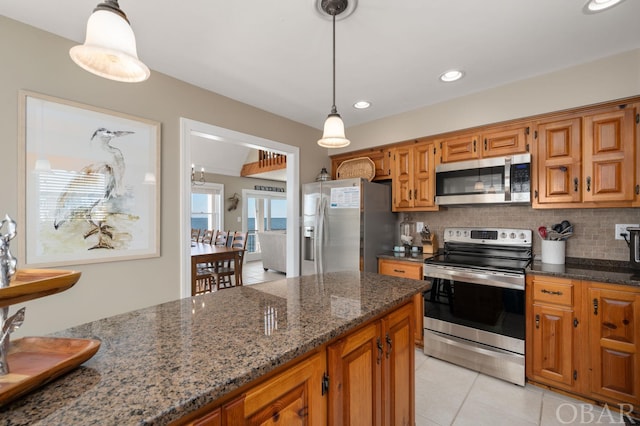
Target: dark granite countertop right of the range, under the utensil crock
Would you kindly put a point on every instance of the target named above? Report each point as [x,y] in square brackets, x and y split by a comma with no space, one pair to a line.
[606,271]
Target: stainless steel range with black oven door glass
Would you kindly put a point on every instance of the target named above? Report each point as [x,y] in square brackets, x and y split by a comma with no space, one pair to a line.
[474,312]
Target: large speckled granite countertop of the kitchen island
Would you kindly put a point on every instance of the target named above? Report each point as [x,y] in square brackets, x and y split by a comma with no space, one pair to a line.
[157,364]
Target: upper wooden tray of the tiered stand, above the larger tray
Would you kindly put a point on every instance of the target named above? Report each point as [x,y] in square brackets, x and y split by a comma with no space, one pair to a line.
[29,284]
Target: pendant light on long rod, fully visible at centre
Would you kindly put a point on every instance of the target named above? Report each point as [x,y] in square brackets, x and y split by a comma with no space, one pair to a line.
[333,135]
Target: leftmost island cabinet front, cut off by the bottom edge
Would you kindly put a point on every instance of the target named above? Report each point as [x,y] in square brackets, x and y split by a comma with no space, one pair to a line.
[291,398]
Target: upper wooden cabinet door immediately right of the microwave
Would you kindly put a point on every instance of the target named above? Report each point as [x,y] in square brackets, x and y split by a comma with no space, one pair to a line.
[558,161]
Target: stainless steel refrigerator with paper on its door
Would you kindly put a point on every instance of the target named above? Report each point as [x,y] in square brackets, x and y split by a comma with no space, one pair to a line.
[346,224]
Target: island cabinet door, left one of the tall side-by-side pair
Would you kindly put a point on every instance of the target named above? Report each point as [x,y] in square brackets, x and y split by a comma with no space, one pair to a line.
[355,382]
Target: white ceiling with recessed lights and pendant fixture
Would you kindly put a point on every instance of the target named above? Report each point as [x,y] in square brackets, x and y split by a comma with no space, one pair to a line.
[276,55]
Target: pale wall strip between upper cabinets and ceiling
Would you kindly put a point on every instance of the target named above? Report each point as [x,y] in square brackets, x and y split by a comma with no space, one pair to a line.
[603,80]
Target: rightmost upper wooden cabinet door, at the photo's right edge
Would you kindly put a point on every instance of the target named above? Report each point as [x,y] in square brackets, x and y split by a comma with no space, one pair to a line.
[608,155]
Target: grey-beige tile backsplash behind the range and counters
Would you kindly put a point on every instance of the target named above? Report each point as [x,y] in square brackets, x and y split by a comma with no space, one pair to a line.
[593,235]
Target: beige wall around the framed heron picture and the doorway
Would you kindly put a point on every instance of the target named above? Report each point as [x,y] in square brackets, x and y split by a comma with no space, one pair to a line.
[38,61]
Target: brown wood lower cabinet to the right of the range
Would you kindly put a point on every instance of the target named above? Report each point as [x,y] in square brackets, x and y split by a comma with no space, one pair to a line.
[583,337]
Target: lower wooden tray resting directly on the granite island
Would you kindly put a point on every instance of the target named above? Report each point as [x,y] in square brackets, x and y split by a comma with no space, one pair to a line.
[34,361]
